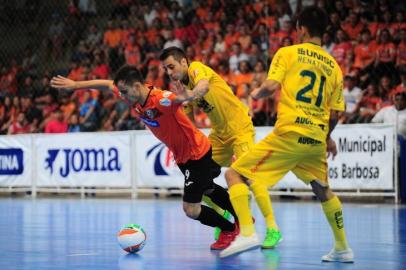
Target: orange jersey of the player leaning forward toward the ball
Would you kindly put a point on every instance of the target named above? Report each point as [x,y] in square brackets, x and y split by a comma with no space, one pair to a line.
[170,125]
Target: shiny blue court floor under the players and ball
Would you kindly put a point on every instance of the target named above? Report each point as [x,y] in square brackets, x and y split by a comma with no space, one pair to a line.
[81,234]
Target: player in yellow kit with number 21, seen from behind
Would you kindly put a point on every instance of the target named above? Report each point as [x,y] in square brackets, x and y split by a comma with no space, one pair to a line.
[311,97]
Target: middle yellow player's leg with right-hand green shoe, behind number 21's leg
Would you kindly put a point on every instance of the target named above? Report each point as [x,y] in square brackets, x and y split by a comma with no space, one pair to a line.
[242,144]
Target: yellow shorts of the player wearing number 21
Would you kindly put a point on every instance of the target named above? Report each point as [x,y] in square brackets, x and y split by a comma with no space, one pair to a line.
[276,155]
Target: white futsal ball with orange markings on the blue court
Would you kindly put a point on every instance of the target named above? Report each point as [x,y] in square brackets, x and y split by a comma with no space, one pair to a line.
[132,238]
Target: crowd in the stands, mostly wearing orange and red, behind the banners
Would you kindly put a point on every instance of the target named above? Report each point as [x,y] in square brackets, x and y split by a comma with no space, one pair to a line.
[237,38]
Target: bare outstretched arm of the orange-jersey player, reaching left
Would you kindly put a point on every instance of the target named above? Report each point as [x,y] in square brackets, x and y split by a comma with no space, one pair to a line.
[60,82]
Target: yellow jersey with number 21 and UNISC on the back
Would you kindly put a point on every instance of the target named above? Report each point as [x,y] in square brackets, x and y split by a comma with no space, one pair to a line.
[312,85]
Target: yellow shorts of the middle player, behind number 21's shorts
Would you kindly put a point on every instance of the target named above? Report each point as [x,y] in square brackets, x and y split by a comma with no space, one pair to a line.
[224,148]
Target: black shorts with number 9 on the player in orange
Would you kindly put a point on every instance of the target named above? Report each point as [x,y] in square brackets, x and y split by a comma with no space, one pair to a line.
[199,175]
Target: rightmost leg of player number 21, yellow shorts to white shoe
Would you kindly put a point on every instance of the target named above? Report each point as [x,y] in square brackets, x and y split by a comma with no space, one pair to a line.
[314,166]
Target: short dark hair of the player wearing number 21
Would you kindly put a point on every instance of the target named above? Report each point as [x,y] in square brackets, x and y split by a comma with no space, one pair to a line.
[314,19]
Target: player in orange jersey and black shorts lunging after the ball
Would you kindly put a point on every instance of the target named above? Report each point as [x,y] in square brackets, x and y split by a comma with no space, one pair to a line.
[168,122]
